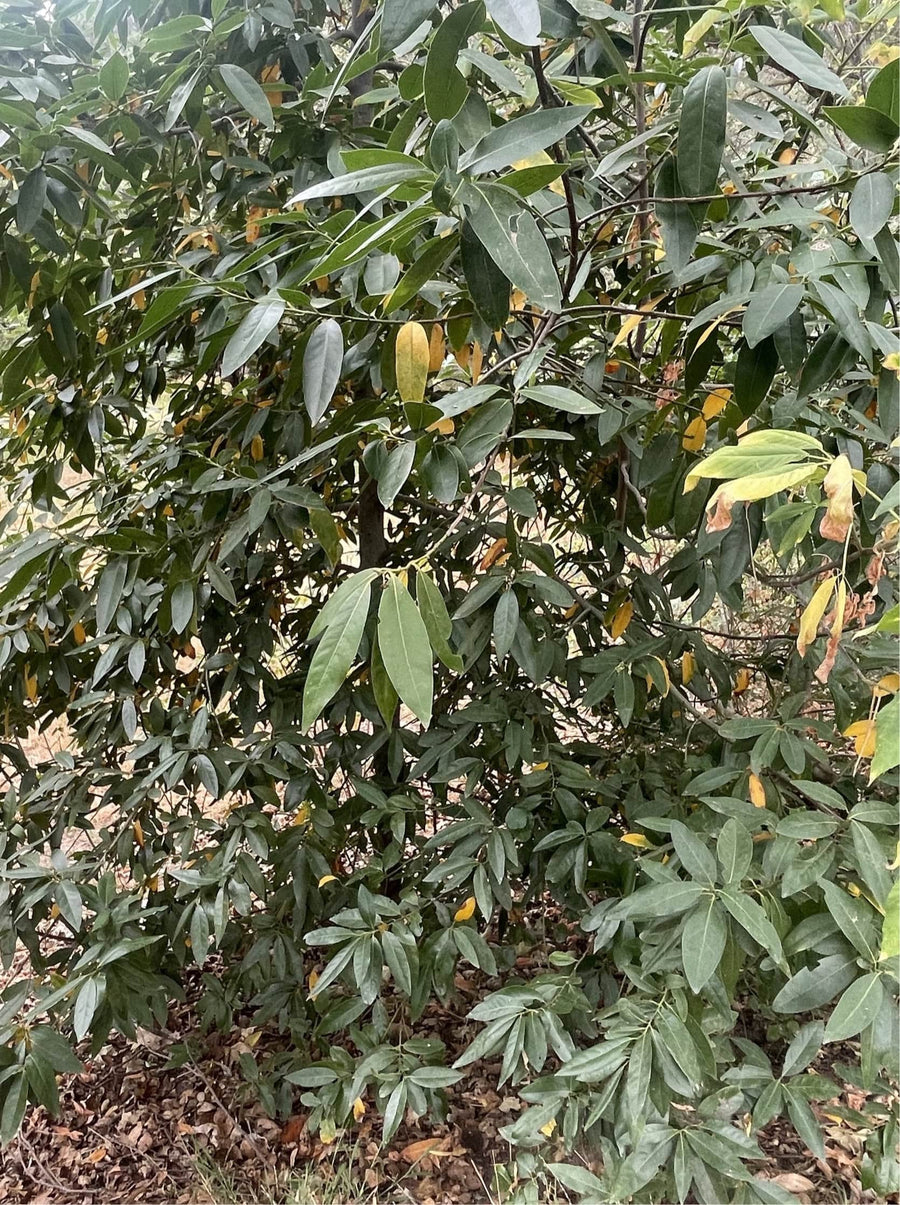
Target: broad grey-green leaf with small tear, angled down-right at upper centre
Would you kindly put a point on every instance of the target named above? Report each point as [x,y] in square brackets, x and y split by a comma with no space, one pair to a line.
[511,238]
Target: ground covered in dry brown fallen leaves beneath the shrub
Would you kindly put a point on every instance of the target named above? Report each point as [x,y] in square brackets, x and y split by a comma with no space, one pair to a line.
[139,1125]
